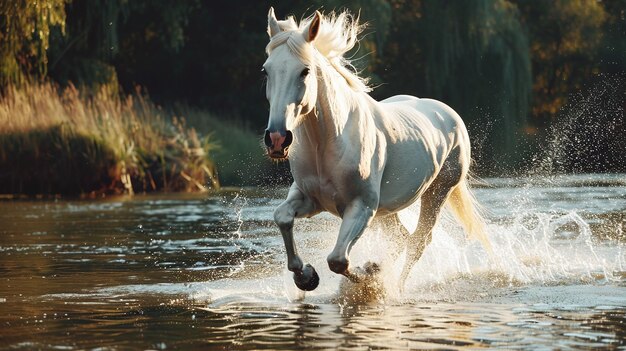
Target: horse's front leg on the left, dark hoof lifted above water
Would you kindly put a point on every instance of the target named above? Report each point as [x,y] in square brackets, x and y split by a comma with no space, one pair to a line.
[296,205]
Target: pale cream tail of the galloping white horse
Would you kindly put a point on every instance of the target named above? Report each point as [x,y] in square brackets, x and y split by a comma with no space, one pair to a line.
[468,211]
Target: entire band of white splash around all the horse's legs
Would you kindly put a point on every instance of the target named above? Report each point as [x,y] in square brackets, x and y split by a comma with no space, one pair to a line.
[533,247]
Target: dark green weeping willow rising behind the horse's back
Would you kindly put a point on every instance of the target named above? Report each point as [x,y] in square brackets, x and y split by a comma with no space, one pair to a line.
[473,55]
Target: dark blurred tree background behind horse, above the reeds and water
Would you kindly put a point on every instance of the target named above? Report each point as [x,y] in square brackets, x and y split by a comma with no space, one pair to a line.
[524,74]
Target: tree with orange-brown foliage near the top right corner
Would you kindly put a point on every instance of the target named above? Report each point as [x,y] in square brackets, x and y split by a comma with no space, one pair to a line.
[565,37]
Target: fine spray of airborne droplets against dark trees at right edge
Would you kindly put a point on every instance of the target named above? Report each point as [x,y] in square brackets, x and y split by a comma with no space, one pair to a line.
[588,134]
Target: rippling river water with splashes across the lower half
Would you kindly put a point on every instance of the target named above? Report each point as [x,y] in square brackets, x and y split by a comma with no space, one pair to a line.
[208,272]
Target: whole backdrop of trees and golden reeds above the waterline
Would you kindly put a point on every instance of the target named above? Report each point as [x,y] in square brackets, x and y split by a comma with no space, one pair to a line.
[540,85]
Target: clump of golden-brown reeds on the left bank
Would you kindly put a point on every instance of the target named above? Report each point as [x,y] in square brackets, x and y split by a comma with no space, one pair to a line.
[68,141]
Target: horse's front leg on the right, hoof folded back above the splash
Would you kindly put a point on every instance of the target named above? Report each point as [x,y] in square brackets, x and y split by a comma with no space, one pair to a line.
[355,219]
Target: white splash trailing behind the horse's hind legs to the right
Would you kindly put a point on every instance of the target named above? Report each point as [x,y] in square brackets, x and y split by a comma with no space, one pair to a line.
[533,249]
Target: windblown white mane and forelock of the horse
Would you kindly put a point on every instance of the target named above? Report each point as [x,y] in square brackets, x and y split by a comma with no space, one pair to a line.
[338,34]
